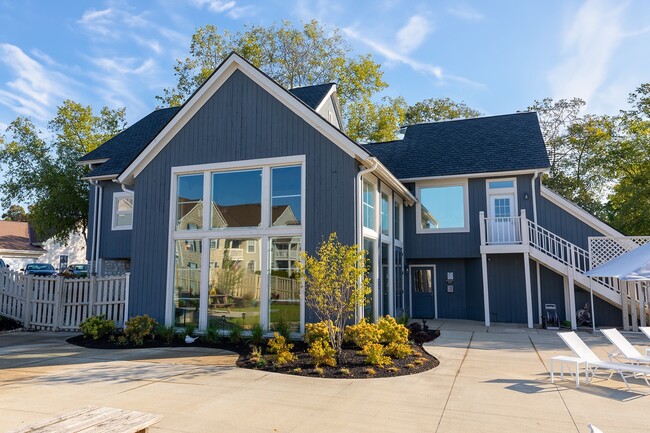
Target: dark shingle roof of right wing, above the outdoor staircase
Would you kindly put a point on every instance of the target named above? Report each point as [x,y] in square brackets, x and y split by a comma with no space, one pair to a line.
[478,145]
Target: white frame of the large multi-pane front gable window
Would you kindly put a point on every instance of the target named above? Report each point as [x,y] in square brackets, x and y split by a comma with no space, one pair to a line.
[264,232]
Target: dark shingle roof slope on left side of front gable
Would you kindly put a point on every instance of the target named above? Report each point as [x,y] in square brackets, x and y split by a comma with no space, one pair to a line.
[122,149]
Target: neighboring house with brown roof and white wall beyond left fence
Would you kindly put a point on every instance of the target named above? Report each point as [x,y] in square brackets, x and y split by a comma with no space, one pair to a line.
[20,246]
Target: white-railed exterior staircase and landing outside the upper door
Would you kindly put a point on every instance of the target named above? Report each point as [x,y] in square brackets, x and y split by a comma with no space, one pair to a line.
[521,235]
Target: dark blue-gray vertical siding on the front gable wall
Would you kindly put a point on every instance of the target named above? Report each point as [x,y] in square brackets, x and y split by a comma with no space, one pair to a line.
[241,121]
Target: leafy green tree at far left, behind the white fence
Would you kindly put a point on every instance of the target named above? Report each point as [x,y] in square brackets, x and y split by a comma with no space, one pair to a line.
[45,173]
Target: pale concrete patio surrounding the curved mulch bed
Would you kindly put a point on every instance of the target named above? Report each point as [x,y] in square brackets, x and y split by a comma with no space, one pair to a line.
[492,380]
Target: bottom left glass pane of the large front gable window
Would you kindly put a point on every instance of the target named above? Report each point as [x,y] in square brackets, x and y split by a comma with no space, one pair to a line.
[187,281]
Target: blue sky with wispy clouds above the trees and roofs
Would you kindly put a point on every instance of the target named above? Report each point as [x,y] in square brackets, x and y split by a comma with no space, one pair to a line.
[497,56]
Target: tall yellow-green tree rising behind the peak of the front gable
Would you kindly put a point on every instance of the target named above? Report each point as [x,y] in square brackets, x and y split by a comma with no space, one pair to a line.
[292,56]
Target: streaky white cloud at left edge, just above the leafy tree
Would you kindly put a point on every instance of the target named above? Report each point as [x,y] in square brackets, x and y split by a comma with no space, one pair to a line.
[34,91]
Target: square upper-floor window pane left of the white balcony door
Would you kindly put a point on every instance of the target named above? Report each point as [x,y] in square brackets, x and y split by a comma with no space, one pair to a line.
[442,208]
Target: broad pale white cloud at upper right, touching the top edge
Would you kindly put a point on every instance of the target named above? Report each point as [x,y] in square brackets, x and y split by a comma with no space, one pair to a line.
[588,47]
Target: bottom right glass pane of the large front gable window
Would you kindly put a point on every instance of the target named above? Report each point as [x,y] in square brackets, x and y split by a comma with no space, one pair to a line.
[284,283]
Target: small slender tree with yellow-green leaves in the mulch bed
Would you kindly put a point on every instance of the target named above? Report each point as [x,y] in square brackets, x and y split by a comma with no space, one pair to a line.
[336,285]
